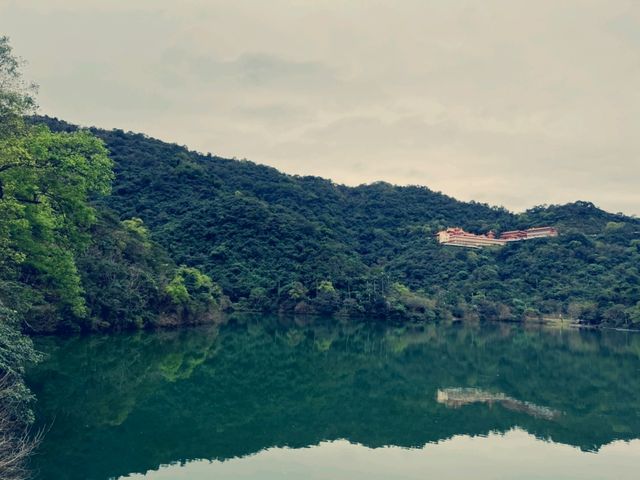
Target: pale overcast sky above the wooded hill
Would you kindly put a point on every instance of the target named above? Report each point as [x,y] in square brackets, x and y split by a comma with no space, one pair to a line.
[513,103]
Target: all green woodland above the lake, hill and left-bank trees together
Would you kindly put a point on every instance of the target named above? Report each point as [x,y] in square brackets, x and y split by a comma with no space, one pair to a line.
[106,229]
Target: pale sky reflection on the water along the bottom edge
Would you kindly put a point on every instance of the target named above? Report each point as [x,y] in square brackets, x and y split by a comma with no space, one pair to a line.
[513,455]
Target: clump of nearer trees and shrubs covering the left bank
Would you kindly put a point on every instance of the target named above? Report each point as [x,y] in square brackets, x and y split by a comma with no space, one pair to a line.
[66,264]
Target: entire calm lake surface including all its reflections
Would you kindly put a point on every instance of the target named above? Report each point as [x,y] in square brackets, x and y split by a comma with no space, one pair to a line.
[265,398]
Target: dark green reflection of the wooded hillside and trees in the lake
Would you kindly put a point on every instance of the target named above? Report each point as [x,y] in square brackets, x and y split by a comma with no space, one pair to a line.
[128,403]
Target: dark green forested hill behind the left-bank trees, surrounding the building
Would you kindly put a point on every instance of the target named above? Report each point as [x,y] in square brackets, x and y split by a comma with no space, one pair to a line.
[279,242]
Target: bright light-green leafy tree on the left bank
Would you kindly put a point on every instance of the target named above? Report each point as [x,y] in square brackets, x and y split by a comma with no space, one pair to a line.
[45,192]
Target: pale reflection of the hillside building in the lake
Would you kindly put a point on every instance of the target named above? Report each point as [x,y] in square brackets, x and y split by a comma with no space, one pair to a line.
[457,397]
